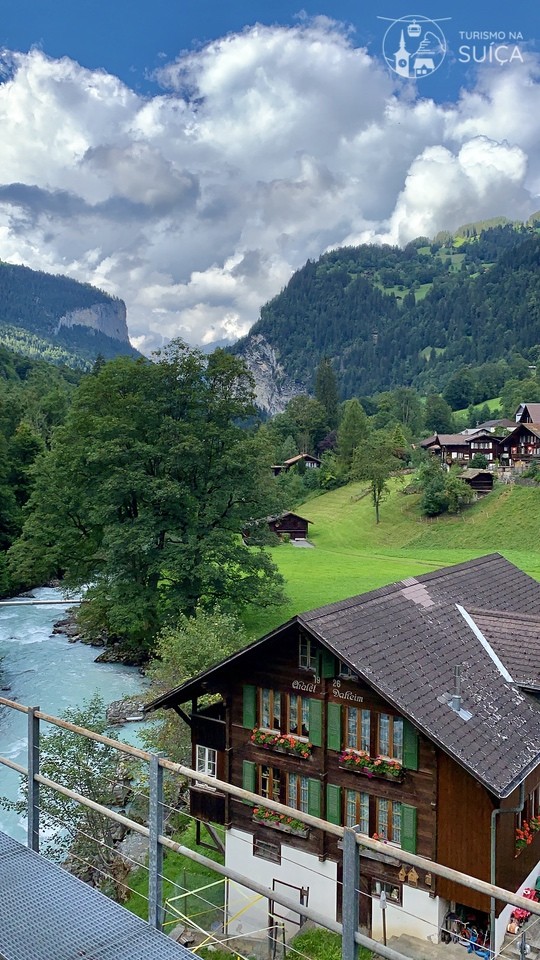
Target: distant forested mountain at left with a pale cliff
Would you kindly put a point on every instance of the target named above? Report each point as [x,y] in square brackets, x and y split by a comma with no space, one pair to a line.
[58,319]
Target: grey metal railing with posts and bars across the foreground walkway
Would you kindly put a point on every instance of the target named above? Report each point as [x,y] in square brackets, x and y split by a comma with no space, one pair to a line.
[351,841]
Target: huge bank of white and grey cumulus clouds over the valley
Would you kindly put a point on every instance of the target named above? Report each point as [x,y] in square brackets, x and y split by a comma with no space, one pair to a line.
[264,148]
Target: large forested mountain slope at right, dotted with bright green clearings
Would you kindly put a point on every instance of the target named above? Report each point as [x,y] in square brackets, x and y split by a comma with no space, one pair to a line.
[389,317]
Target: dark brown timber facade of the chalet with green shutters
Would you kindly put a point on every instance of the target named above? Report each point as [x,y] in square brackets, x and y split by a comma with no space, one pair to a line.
[445,813]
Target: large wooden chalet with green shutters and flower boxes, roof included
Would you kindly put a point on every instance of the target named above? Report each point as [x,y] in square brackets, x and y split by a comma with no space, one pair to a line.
[351,712]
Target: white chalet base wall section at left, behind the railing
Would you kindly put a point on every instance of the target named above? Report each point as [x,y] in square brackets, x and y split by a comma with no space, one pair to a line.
[248,913]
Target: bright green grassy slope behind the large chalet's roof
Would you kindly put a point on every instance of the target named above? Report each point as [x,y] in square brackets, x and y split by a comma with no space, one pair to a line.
[352,554]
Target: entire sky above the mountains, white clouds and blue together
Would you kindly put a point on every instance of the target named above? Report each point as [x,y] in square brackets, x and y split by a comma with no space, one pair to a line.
[189,157]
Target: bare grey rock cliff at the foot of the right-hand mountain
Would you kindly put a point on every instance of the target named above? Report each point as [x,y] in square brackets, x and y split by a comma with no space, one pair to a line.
[274,388]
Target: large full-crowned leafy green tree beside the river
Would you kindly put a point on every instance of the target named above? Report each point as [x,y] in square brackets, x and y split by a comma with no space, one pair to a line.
[145,492]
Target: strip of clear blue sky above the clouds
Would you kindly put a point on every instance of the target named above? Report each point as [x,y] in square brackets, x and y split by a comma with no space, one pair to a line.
[132,38]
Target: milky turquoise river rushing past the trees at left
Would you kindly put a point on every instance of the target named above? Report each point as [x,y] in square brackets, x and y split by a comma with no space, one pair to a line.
[42,669]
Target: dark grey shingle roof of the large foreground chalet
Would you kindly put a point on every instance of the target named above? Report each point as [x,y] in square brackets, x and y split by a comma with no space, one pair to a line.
[406,639]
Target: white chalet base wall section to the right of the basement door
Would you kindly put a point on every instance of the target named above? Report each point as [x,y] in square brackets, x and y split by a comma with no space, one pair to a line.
[420,916]
